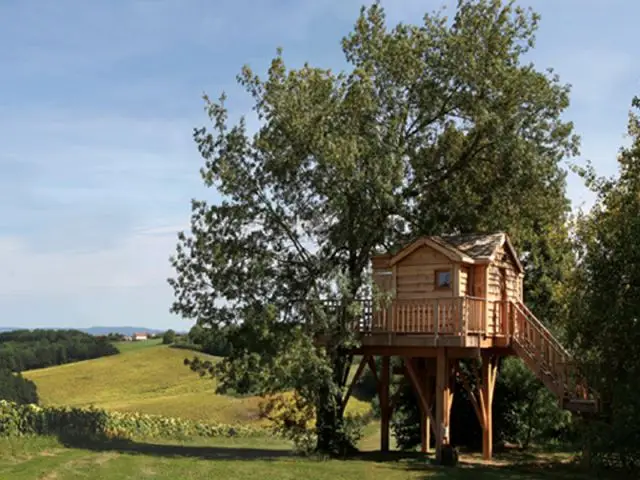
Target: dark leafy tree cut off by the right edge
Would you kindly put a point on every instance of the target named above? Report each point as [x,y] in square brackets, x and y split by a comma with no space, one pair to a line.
[605,311]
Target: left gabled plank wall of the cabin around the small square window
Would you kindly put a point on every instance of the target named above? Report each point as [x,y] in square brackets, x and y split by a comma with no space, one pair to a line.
[415,275]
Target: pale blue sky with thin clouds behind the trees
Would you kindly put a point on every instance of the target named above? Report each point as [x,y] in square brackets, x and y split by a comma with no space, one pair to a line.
[97,105]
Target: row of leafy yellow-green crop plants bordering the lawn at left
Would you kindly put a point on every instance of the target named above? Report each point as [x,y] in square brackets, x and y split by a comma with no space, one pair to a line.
[91,423]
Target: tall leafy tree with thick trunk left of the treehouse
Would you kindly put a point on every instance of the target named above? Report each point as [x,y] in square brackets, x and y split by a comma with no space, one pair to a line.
[434,128]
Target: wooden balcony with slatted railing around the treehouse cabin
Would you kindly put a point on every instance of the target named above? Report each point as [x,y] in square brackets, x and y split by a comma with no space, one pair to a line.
[456,321]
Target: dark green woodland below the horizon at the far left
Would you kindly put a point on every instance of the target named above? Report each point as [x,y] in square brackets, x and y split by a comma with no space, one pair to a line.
[29,349]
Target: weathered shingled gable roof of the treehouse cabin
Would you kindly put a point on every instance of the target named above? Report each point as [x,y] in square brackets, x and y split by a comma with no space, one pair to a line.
[469,248]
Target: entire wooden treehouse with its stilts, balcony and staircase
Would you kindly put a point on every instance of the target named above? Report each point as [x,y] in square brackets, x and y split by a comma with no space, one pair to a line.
[447,298]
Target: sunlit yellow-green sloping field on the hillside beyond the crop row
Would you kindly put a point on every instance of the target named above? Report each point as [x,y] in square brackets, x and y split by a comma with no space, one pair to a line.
[146,377]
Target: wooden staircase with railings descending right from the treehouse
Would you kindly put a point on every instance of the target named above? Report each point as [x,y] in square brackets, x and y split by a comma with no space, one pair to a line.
[549,360]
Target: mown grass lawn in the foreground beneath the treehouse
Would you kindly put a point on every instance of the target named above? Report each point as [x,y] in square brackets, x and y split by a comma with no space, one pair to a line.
[48,459]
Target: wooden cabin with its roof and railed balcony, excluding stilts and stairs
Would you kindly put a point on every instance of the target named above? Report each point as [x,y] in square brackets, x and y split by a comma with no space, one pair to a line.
[450,288]
